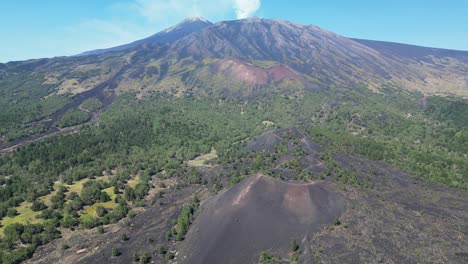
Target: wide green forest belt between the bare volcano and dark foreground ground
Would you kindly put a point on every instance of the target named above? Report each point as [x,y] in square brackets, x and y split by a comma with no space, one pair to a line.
[156,136]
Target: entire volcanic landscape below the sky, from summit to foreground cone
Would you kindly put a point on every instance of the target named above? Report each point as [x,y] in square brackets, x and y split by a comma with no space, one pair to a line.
[245,141]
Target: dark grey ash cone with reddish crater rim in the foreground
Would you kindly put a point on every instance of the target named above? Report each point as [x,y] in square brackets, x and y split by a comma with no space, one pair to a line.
[260,213]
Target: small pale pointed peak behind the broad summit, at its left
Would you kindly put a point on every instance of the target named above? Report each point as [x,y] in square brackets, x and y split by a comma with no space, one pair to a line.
[186,27]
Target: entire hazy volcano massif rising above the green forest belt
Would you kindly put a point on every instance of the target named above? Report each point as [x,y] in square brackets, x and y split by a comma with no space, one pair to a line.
[250,57]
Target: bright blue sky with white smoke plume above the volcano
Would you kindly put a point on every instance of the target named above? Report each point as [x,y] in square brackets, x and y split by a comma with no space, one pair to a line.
[48,28]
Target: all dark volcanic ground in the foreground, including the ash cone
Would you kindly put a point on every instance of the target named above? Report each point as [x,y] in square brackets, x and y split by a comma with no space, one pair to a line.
[399,219]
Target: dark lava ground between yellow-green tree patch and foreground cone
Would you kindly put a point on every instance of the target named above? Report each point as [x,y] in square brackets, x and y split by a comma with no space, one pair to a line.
[146,232]
